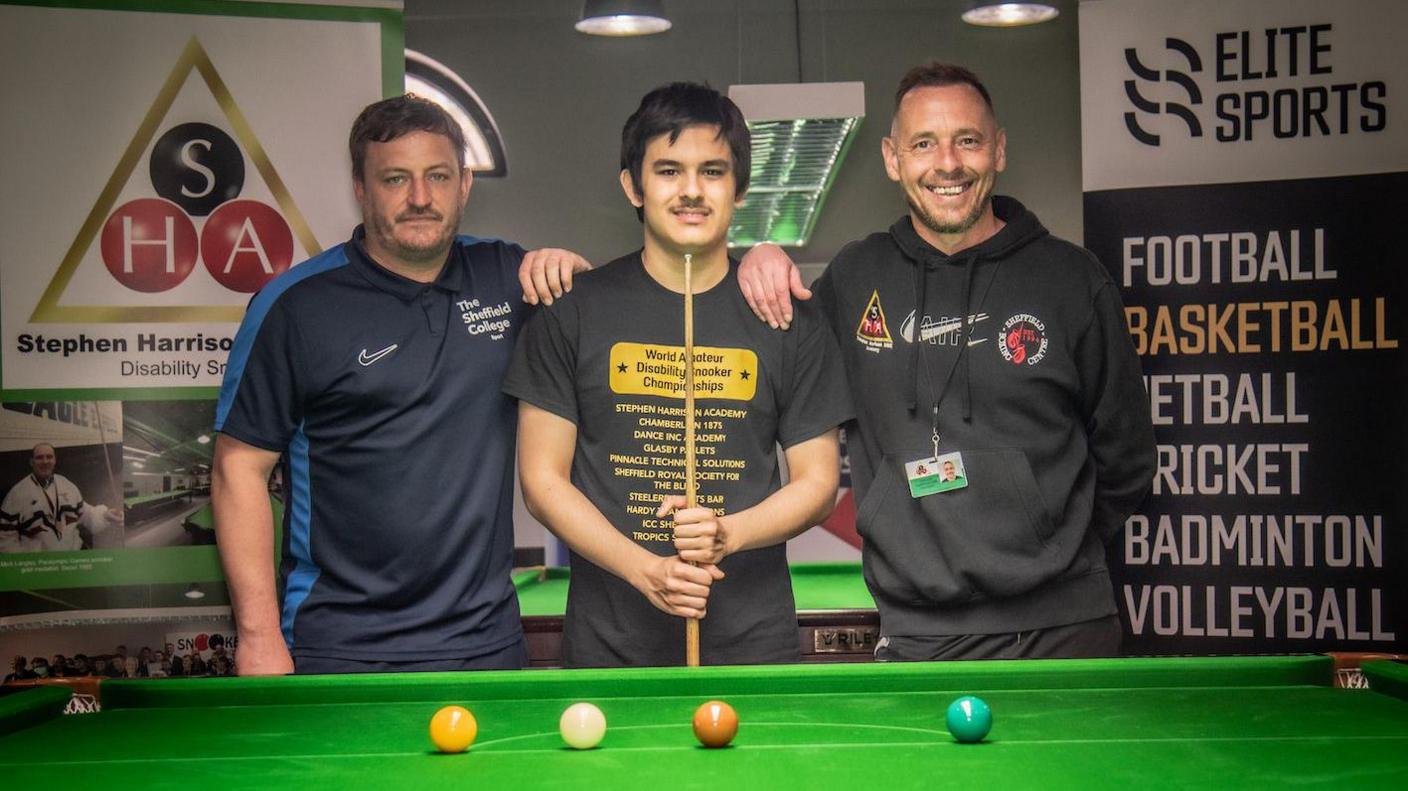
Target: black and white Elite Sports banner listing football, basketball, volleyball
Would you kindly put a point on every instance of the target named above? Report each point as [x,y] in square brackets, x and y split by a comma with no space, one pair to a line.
[1245,171]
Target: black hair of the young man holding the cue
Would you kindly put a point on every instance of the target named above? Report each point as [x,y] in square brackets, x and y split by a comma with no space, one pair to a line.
[674,108]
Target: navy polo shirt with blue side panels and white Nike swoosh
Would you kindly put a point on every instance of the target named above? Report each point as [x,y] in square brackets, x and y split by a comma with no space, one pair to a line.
[385,398]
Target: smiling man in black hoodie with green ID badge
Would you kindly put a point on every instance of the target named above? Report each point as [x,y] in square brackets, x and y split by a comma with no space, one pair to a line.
[971,334]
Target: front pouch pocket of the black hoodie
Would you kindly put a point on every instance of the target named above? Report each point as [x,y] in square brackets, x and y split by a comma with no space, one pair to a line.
[988,540]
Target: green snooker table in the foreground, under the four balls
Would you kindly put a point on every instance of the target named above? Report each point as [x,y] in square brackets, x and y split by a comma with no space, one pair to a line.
[1182,723]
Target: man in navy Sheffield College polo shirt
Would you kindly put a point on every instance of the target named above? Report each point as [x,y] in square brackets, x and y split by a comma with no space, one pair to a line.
[374,371]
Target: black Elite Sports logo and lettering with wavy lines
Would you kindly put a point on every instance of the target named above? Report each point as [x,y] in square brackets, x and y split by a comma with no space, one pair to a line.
[1306,101]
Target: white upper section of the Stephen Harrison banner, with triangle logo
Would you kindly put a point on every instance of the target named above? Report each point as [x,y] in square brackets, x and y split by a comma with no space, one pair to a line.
[174,161]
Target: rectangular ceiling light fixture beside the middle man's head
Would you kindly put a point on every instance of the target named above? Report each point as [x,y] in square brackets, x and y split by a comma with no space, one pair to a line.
[802,133]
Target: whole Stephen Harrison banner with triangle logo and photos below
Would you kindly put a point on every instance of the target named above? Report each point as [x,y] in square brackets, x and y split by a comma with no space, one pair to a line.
[164,161]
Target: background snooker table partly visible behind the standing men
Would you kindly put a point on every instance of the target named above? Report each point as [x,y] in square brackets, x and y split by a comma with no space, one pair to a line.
[837,620]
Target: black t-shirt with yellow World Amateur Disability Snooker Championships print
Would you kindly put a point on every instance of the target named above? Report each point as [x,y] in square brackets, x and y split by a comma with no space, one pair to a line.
[609,357]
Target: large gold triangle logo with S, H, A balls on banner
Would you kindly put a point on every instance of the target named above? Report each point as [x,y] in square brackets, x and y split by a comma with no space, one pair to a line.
[192,216]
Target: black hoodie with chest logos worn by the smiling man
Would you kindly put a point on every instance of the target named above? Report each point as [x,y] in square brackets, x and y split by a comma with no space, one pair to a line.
[1044,402]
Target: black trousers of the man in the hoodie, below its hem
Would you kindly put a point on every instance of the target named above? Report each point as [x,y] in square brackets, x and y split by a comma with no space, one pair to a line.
[1075,641]
